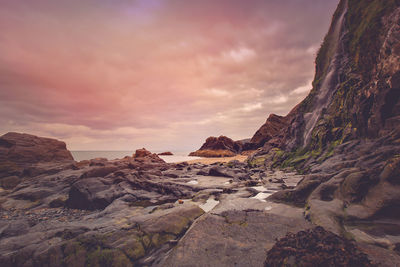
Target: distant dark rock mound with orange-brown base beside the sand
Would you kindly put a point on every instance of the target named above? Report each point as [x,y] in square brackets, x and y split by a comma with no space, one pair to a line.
[219,147]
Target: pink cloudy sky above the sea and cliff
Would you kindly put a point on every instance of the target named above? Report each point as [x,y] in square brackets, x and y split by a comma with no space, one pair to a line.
[160,74]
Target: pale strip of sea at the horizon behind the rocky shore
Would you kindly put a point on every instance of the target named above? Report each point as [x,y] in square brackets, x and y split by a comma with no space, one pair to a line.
[110,155]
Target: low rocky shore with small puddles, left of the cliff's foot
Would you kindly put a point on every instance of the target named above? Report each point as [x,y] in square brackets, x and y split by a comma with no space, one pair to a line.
[142,211]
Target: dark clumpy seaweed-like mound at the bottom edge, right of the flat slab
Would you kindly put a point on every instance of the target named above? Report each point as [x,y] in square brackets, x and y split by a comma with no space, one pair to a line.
[315,247]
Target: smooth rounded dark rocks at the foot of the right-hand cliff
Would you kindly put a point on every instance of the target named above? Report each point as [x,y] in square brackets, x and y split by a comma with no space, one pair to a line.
[354,194]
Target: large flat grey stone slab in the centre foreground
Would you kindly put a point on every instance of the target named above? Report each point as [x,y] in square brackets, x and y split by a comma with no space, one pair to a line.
[232,234]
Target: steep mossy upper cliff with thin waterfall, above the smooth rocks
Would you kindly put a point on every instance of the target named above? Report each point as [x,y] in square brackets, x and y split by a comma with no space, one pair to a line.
[356,87]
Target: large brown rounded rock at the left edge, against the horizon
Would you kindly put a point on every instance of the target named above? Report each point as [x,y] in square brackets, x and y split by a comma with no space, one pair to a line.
[23,149]
